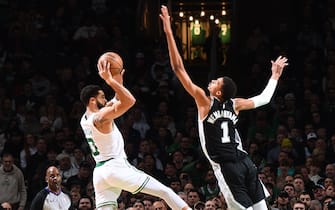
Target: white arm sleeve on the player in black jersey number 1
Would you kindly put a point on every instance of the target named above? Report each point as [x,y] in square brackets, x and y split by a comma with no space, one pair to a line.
[266,95]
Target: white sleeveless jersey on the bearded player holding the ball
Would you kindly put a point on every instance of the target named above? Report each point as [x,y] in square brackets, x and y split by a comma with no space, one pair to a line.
[103,146]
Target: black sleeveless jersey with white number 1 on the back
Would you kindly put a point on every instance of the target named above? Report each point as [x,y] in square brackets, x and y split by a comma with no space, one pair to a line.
[219,137]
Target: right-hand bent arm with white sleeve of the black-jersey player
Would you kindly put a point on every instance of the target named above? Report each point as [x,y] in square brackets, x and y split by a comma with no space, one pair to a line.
[266,95]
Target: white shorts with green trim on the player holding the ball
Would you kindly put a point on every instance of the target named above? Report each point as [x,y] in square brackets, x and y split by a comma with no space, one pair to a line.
[114,176]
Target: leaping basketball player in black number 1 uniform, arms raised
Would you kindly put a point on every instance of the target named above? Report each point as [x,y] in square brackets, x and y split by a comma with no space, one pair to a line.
[219,138]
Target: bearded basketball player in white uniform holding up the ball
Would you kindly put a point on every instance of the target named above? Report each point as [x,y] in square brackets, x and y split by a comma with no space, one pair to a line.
[113,172]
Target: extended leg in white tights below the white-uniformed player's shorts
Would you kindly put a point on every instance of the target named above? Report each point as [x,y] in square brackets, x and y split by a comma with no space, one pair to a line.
[156,188]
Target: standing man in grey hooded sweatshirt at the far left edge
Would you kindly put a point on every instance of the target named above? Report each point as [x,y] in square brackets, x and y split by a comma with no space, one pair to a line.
[13,188]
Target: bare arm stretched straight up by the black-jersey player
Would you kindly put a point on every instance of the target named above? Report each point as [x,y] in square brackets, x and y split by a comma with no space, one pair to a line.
[177,65]
